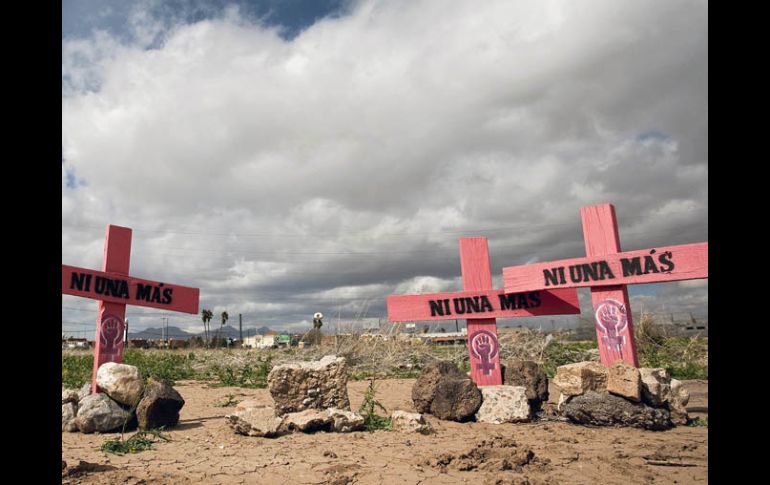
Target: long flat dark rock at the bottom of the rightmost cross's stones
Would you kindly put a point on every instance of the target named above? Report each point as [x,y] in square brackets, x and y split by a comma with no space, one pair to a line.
[605,409]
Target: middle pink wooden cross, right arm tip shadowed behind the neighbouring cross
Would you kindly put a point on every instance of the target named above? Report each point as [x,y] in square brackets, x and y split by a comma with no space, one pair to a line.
[483,302]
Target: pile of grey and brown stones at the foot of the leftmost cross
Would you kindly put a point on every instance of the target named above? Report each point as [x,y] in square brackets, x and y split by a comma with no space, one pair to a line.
[127,402]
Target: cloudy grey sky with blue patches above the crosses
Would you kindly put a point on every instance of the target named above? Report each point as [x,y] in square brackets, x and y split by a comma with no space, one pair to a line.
[289,157]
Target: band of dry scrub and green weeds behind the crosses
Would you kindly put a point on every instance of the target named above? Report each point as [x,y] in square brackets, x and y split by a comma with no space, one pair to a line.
[375,357]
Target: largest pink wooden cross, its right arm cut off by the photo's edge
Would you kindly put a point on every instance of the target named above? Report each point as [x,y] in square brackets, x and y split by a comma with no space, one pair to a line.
[607,271]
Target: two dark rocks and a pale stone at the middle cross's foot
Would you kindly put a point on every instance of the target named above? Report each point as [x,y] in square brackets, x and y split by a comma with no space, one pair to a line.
[447,393]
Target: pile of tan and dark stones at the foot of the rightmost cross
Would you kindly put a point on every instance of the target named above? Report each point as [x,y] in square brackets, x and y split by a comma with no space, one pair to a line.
[621,395]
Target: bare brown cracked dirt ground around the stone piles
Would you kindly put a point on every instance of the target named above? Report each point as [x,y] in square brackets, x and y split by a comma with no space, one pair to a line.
[204,450]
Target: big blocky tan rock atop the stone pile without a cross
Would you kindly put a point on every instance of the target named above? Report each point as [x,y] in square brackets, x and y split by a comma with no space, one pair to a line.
[309,385]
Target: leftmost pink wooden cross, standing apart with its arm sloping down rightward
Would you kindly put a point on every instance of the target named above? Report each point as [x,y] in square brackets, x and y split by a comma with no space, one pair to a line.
[115,289]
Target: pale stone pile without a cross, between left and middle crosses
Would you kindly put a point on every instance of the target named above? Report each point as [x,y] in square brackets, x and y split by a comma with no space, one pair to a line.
[309,397]
